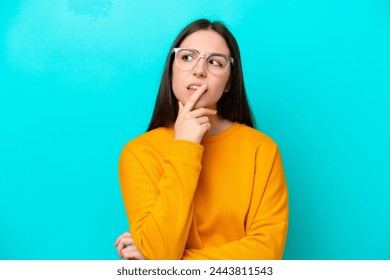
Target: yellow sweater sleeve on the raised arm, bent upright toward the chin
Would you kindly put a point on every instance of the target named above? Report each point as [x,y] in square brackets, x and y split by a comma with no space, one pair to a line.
[158,197]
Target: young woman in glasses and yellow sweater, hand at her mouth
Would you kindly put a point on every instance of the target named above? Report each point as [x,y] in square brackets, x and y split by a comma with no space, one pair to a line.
[202,183]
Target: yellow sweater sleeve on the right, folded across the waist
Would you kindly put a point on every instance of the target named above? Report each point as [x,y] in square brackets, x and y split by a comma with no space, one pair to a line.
[267,220]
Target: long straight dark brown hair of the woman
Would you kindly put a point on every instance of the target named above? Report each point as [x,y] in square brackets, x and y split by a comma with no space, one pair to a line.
[232,106]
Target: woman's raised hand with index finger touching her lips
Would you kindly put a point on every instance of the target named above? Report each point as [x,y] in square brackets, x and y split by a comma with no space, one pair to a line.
[191,125]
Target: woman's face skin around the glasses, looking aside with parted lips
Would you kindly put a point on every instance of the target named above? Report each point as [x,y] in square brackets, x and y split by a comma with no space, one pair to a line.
[184,82]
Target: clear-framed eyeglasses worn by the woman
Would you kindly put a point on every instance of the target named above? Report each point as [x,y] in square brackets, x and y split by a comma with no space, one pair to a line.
[216,63]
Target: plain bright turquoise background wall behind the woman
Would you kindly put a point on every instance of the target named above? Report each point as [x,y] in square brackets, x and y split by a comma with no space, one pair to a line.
[78,79]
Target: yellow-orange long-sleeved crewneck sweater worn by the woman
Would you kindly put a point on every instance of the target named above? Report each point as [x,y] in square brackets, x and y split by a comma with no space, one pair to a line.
[223,199]
